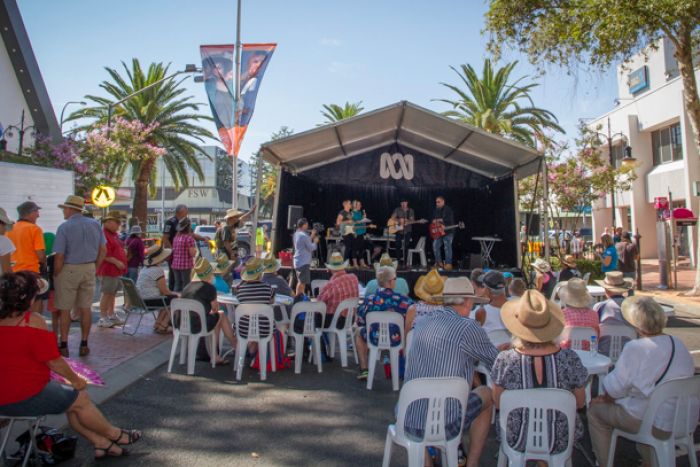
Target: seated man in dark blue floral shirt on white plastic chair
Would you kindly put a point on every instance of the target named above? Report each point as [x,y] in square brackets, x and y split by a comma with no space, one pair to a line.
[384,300]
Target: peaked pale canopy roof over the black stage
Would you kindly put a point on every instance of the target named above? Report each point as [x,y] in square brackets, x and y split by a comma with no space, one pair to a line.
[410,126]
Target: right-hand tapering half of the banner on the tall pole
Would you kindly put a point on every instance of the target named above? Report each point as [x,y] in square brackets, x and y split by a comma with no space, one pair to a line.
[254,60]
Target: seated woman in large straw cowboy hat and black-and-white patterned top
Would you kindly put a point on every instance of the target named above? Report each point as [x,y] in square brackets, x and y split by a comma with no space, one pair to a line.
[536,361]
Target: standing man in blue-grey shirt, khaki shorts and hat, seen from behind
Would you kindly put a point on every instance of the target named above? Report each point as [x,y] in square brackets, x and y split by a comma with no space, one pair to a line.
[80,249]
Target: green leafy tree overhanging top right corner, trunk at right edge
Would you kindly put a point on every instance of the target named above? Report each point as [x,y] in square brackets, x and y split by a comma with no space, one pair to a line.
[598,33]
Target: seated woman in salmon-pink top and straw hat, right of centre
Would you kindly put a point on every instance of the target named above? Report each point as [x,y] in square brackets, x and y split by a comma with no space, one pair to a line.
[577,310]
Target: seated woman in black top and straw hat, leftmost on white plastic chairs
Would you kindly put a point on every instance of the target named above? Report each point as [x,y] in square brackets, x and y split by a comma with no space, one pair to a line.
[201,289]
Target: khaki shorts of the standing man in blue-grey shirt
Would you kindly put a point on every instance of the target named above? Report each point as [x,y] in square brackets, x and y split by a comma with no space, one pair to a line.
[75,286]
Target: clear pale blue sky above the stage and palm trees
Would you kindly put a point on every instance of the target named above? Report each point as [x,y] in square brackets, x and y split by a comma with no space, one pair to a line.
[329,51]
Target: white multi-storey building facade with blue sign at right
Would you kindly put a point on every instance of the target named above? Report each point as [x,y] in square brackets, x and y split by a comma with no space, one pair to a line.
[650,117]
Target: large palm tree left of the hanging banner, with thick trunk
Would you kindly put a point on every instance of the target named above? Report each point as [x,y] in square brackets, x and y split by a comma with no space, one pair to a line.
[163,105]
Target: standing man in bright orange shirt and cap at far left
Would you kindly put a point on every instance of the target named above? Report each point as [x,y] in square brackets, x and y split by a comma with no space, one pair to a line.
[28,238]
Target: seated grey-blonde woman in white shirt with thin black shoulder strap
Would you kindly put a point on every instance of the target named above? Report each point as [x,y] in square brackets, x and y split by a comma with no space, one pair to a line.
[643,364]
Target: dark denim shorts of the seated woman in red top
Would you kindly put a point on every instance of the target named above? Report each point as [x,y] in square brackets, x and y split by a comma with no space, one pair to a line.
[55,398]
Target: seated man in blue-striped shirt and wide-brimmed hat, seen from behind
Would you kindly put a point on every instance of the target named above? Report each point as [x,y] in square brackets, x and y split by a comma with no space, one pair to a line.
[447,345]
